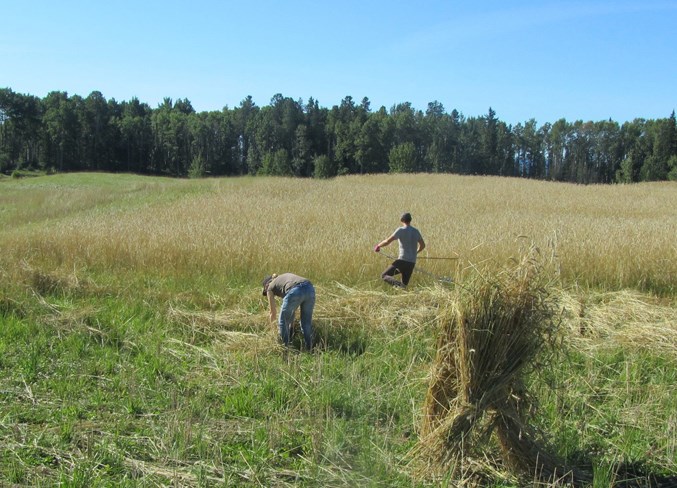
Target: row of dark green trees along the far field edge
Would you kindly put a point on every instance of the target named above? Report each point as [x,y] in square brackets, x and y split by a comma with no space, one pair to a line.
[291,138]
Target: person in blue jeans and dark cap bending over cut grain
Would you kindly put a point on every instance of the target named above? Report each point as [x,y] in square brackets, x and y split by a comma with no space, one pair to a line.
[296,292]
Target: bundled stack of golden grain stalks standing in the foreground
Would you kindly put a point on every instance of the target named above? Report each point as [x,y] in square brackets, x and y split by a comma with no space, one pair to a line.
[493,334]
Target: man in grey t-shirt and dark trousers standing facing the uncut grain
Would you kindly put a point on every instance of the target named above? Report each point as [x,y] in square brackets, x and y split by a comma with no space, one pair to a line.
[411,243]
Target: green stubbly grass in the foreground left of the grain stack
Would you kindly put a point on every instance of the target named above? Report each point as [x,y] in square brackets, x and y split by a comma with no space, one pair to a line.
[106,391]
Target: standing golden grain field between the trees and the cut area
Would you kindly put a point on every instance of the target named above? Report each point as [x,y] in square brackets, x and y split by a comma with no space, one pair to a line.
[612,237]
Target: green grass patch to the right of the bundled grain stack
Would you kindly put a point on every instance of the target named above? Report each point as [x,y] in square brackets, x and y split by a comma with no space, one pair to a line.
[616,407]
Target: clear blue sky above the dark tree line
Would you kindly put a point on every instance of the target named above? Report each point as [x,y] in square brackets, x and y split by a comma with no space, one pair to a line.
[588,60]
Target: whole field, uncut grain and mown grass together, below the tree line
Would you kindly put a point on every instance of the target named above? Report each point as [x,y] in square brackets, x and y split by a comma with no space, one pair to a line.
[135,350]
